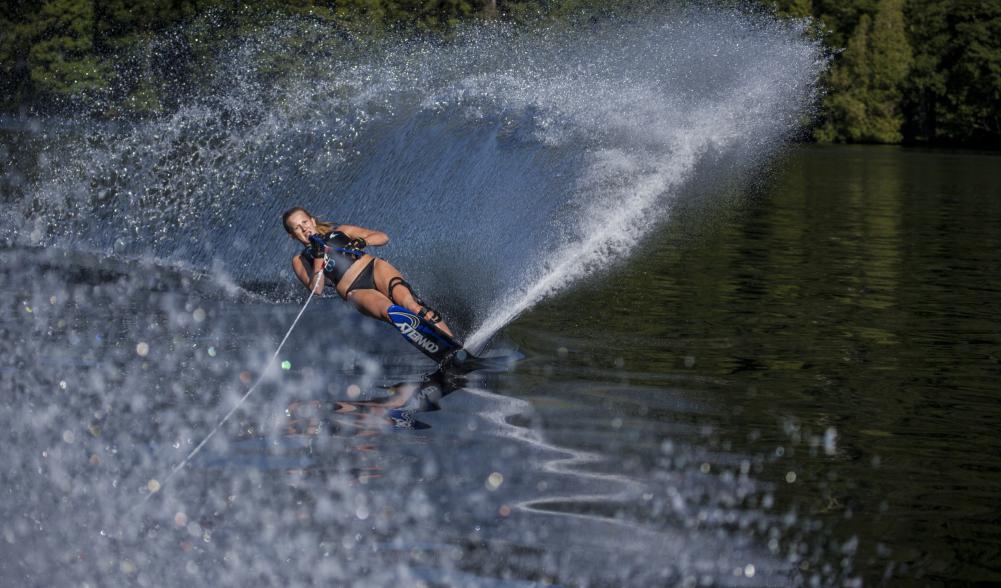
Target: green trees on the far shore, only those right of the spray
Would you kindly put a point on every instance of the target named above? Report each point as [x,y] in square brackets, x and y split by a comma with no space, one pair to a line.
[914,72]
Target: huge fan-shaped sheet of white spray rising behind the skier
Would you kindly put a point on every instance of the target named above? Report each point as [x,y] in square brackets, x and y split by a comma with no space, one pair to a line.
[506,166]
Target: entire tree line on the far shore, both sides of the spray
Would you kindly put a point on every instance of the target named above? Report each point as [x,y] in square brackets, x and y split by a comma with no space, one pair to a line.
[911,72]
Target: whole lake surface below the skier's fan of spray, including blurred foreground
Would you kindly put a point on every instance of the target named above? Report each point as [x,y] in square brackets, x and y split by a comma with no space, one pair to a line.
[795,387]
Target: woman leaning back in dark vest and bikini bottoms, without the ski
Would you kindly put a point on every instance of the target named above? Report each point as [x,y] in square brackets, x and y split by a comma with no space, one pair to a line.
[334,255]
